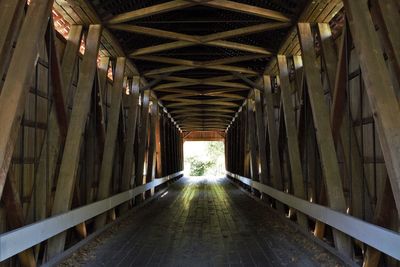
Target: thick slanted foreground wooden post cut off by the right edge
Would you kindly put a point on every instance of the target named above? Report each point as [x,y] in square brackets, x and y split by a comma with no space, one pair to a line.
[382,96]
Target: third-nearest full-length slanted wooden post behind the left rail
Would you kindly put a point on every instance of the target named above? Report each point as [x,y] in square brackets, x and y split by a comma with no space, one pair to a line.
[128,169]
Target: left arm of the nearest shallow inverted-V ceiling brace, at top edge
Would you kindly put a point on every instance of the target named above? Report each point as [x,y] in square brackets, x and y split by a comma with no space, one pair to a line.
[150,11]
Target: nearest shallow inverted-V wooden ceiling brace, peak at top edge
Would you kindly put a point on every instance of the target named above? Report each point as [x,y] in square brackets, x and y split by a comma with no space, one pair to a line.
[181,4]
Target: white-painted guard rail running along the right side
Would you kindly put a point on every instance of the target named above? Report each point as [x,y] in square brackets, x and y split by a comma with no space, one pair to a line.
[382,239]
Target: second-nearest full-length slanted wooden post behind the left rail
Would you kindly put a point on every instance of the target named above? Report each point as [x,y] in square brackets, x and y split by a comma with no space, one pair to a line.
[111,138]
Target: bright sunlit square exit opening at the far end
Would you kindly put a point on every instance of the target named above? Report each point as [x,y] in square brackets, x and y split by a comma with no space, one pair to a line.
[204,158]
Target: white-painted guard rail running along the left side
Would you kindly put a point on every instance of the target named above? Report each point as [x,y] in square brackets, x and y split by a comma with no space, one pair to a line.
[18,240]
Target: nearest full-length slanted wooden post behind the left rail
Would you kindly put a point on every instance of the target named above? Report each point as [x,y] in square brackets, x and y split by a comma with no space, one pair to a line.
[70,159]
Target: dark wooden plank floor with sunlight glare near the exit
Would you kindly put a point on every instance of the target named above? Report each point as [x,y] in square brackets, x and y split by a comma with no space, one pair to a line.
[203,222]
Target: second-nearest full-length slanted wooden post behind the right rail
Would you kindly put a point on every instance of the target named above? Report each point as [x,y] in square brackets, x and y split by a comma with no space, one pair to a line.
[291,134]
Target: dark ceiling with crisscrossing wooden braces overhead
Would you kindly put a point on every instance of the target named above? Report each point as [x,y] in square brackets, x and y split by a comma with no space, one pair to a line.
[189,46]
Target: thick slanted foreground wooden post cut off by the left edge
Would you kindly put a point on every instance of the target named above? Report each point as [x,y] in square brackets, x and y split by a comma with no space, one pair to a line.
[18,79]
